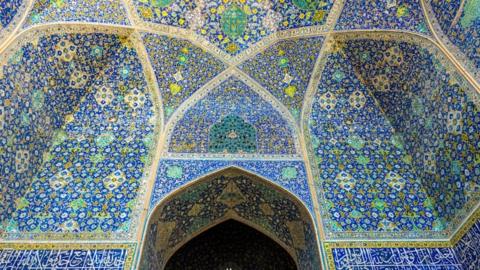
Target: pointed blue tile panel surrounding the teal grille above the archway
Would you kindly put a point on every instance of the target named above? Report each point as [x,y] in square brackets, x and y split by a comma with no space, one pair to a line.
[224,95]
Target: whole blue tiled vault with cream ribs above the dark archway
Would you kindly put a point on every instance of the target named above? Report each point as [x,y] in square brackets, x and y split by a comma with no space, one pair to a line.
[368,111]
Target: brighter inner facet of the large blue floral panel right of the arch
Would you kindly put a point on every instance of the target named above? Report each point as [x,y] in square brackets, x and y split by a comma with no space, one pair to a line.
[365,179]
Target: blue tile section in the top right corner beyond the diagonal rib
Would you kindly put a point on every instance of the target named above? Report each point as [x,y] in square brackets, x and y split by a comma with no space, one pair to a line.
[460,22]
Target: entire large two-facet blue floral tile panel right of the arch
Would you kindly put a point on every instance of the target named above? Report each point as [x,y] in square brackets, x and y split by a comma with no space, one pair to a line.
[430,132]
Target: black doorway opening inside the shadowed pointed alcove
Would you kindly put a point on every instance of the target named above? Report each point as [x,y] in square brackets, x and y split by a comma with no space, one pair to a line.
[231,245]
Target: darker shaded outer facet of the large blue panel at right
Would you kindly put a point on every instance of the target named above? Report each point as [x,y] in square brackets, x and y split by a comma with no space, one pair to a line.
[434,115]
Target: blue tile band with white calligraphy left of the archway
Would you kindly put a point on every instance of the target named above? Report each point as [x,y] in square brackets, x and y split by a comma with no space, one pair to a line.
[112,259]
